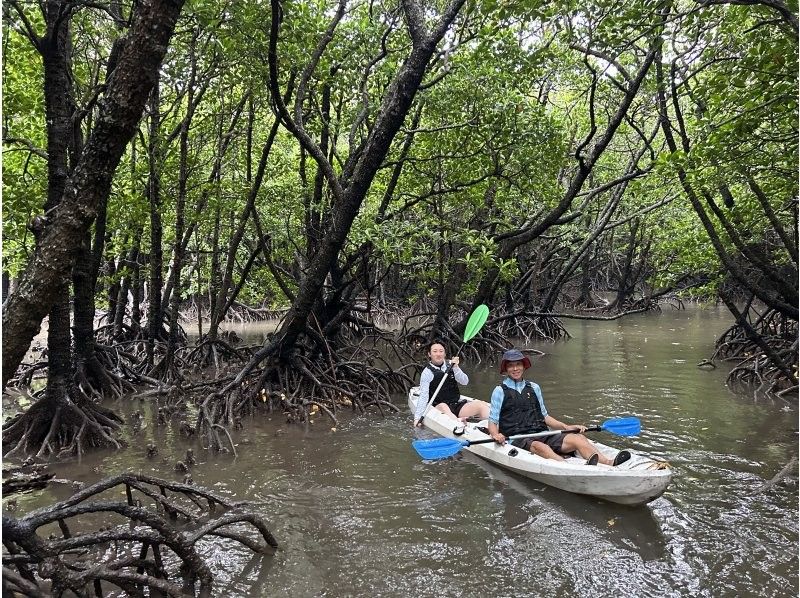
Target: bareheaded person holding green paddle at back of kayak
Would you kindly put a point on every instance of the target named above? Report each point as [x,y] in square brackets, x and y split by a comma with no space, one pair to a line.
[448,400]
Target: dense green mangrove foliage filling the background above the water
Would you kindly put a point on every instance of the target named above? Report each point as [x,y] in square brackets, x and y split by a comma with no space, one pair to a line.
[556,155]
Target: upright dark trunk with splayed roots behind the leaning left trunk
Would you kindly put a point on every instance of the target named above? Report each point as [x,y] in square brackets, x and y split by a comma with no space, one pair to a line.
[60,417]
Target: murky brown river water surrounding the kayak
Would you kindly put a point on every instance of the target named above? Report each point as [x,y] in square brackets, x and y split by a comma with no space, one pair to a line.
[357,513]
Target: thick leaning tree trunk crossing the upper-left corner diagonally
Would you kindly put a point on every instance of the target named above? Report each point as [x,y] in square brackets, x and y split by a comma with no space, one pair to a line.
[50,266]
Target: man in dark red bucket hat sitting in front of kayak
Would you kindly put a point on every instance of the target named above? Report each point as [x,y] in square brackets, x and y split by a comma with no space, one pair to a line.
[517,407]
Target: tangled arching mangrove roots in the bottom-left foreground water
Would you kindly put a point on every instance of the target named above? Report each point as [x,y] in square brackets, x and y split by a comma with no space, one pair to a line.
[128,556]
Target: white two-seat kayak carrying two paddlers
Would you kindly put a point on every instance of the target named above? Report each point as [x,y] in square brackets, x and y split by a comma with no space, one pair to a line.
[635,482]
